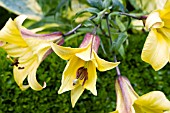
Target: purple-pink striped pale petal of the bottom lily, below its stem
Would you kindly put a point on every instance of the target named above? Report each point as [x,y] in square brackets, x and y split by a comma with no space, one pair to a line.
[125,95]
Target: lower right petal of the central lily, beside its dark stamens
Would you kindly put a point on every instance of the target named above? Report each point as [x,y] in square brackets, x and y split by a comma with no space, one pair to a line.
[90,84]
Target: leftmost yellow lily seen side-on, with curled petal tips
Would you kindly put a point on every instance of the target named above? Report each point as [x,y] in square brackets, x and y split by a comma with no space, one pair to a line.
[28,50]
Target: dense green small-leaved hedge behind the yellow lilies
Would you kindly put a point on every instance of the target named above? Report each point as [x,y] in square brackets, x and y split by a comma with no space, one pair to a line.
[143,78]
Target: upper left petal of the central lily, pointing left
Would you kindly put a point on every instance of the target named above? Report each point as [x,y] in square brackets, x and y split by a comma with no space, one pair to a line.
[65,52]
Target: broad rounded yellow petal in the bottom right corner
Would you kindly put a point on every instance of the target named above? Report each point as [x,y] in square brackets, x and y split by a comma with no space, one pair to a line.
[153,102]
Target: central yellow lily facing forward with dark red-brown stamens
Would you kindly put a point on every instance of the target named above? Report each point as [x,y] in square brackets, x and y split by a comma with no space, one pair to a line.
[80,71]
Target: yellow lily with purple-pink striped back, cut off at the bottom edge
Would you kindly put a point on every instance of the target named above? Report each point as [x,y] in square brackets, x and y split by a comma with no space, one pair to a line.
[128,100]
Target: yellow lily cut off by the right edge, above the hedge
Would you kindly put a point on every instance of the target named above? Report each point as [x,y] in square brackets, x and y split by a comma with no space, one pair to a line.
[157,46]
